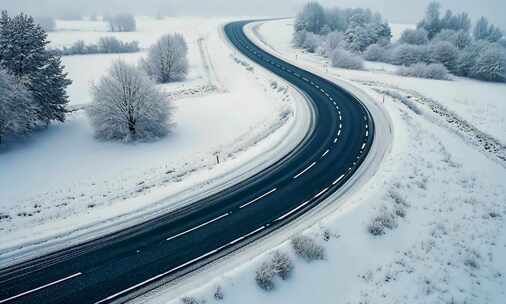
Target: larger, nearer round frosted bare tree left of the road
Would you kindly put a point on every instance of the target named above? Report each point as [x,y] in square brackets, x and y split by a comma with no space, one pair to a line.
[128,106]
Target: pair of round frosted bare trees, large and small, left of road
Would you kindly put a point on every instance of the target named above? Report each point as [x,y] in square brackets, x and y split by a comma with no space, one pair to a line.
[128,105]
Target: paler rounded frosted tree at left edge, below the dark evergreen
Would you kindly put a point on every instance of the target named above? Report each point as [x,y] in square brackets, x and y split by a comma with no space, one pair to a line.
[16,107]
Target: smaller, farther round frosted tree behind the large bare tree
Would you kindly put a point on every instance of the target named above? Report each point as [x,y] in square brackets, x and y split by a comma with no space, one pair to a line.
[167,59]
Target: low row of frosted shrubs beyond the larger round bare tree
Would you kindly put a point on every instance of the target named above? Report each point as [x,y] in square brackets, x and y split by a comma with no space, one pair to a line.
[105,45]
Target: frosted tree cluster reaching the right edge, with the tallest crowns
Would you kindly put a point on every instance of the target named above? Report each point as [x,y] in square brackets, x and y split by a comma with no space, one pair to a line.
[450,42]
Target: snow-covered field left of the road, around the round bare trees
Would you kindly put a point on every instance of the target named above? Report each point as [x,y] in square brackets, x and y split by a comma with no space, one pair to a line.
[62,179]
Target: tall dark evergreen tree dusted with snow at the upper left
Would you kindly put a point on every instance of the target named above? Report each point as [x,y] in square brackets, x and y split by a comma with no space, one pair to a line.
[23,53]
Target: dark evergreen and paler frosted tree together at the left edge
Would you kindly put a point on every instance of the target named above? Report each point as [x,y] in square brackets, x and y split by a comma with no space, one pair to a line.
[32,82]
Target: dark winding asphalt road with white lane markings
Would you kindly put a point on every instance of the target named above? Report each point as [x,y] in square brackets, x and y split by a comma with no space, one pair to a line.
[133,260]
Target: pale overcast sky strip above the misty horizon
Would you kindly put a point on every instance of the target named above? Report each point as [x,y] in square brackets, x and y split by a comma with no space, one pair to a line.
[399,11]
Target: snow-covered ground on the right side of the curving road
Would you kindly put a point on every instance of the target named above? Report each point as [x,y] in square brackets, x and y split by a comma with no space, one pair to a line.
[445,198]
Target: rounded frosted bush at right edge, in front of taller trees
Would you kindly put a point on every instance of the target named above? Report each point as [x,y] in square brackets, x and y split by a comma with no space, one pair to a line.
[490,65]
